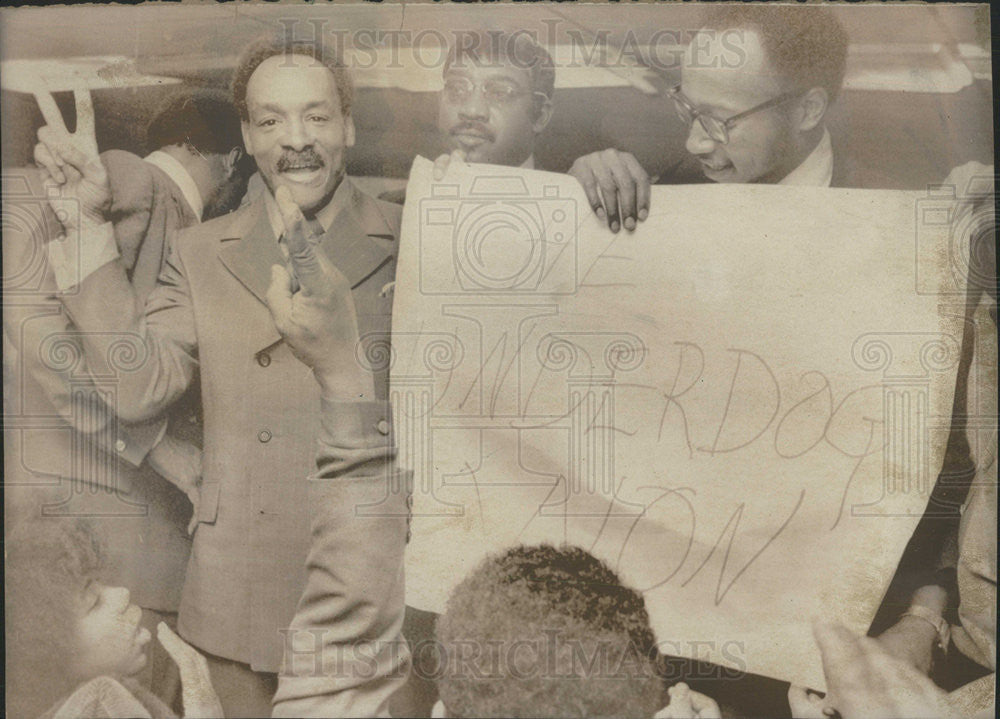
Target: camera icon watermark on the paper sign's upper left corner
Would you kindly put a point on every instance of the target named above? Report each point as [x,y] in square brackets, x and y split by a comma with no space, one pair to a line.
[497,238]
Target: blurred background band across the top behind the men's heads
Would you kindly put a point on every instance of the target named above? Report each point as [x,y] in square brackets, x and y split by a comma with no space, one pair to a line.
[917,99]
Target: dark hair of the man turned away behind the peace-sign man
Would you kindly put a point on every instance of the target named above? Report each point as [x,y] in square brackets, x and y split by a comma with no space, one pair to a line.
[203,119]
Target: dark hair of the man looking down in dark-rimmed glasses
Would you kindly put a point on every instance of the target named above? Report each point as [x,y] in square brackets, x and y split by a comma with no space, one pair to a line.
[805,46]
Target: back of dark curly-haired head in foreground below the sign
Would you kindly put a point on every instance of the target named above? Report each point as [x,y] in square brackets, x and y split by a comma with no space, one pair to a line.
[540,631]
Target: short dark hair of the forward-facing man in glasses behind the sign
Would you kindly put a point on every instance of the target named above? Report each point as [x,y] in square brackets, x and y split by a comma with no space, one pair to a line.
[495,47]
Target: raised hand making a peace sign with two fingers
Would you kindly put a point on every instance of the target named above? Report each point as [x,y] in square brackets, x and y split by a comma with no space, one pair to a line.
[73,163]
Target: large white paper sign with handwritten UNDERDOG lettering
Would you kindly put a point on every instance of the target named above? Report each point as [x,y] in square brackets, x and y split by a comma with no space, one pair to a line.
[741,406]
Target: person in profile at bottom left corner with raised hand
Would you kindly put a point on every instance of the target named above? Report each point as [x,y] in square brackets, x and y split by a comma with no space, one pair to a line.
[74,645]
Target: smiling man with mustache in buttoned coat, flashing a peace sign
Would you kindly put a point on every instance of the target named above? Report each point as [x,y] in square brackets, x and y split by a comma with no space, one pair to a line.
[209,313]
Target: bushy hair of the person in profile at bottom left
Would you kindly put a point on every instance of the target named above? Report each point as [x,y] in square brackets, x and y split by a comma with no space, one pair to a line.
[47,567]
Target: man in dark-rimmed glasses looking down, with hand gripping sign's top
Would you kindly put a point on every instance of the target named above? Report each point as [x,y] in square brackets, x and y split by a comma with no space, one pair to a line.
[756,84]
